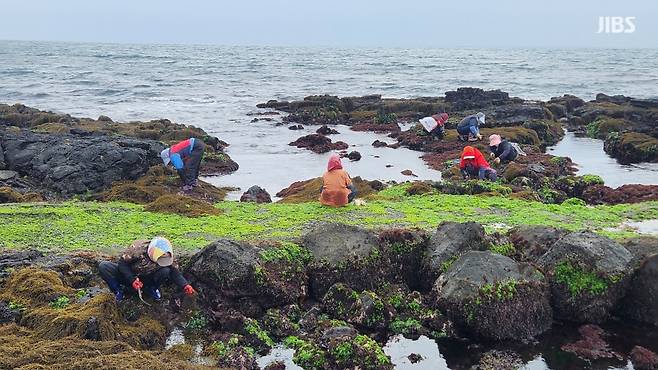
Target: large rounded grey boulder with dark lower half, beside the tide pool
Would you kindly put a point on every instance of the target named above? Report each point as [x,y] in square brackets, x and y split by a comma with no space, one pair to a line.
[493,297]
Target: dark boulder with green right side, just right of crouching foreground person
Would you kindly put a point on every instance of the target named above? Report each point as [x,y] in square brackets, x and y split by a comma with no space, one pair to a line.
[244,275]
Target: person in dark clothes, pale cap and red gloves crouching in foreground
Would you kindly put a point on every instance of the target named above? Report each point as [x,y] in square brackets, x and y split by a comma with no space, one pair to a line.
[144,265]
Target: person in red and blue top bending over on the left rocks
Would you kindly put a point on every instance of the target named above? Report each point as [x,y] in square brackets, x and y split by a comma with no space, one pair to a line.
[185,156]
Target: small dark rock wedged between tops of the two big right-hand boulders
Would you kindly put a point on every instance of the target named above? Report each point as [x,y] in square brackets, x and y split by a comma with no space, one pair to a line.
[532,242]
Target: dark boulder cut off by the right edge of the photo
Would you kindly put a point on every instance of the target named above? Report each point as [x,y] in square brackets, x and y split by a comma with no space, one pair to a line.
[640,302]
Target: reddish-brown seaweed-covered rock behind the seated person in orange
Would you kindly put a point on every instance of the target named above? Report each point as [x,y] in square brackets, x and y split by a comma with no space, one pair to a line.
[309,190]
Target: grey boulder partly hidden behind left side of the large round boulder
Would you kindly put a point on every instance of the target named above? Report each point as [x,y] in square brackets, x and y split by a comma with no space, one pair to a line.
[449,241]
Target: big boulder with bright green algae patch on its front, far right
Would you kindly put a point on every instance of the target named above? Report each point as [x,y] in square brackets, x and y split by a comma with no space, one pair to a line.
[588,274]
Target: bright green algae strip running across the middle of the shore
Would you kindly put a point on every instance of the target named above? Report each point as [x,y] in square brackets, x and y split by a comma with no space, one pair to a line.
[76,225]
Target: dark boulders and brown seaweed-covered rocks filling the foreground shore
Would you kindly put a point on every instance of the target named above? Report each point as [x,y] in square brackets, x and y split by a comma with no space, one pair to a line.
[334,295]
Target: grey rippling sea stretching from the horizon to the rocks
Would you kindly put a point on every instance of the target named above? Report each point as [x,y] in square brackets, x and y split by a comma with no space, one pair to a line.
[215,87]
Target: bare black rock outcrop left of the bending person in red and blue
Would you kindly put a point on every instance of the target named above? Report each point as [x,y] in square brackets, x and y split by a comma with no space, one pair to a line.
[74,164]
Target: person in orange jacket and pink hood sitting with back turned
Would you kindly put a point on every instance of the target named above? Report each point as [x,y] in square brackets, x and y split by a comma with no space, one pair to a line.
[337,187]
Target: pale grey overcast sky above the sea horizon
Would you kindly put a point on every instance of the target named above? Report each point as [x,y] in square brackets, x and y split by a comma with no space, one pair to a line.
[349,23]
